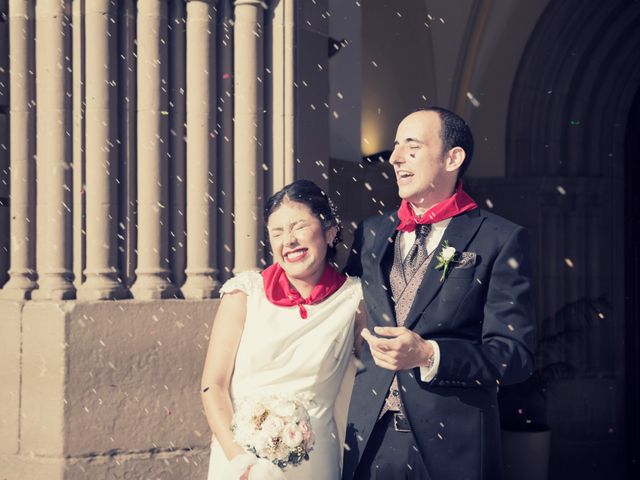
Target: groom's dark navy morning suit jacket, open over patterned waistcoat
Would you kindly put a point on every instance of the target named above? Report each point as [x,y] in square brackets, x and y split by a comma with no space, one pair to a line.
[482,318]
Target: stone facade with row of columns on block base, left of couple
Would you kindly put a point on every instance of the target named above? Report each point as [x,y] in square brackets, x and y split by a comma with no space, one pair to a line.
[144,136]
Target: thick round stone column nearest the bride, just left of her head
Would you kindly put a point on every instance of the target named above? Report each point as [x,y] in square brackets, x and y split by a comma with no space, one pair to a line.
[248,133]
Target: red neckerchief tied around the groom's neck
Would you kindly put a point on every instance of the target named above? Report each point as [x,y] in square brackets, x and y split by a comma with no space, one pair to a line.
[457,203]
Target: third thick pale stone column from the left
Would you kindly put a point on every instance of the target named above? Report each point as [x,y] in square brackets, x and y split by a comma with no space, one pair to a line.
[102,277]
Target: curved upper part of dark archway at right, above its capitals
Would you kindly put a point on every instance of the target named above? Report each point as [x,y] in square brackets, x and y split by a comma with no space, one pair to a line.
[573,90]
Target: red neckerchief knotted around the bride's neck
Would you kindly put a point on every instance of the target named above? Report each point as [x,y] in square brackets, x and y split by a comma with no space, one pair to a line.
[280,292]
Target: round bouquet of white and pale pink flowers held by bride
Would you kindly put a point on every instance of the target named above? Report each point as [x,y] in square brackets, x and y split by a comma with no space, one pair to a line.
[275,428]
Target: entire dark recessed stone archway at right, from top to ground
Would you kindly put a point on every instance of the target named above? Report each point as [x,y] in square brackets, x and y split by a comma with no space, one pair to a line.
[569,112]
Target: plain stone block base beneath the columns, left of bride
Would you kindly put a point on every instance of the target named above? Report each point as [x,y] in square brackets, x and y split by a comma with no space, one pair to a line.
[103,389]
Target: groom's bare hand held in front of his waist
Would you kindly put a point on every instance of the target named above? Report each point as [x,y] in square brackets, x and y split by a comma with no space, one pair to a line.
[398,349]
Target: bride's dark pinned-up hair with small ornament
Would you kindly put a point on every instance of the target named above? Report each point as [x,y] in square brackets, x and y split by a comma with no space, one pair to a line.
[308,193]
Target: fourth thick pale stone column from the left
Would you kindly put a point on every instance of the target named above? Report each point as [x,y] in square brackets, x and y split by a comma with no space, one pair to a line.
[153,280]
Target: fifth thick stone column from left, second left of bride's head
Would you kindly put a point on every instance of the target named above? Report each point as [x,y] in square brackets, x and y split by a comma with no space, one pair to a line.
[201,150]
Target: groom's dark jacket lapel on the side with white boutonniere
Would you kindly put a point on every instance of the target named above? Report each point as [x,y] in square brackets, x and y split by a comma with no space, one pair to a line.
[459,233]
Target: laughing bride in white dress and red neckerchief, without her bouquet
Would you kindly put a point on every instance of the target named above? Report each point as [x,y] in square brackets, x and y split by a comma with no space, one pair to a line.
[288,330]
